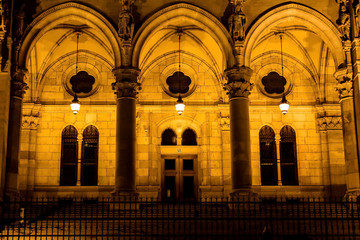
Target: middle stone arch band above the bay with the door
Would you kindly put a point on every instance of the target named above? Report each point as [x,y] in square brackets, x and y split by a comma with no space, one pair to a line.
[156,29]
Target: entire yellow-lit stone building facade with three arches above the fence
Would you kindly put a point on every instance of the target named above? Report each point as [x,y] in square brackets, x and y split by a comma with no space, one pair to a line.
[242,57]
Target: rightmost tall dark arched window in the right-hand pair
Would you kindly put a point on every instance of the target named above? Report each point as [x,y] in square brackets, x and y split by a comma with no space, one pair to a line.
[289,173]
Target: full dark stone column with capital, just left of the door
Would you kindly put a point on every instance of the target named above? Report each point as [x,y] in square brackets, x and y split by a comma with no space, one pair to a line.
[126,87]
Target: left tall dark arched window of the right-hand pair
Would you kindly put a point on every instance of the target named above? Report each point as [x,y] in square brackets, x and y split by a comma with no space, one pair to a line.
[269,175]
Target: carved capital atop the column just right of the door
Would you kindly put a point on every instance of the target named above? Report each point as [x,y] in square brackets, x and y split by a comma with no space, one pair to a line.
[238,84]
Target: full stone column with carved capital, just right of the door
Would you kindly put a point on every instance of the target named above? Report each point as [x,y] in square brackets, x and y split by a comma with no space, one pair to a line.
[239,87]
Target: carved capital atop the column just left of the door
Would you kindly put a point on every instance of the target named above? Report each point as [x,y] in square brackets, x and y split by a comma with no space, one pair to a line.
[126,84]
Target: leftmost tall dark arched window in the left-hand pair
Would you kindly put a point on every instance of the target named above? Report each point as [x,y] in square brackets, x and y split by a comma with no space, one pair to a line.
[69,156]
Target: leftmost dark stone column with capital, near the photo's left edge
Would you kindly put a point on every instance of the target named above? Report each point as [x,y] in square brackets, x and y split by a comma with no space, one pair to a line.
[18,87]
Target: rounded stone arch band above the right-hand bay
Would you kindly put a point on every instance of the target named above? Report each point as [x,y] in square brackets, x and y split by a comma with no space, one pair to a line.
[310,19]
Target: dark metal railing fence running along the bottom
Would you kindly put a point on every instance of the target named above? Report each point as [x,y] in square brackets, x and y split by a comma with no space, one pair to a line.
[210,218]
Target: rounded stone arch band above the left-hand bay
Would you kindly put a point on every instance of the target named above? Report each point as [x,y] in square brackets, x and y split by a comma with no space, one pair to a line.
[62,13]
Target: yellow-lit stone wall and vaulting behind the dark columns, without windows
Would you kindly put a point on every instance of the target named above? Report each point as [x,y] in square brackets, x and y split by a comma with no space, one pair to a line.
[310,55]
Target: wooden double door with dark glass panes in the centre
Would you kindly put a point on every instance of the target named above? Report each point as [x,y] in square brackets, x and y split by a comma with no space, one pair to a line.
[179,180]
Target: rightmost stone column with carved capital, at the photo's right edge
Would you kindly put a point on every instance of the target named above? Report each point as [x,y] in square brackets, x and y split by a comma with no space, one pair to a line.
[345,89]
